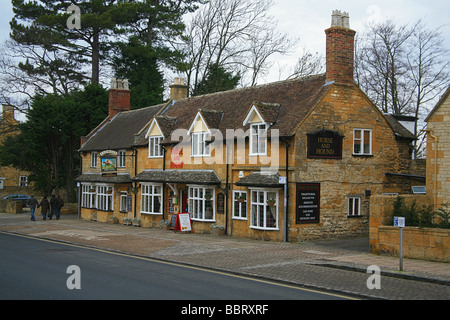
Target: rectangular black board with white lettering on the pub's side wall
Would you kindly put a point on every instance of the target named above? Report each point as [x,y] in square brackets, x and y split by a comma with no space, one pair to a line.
[308,203]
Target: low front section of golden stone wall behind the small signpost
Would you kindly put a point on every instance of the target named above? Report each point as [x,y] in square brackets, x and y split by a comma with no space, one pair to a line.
[418,243]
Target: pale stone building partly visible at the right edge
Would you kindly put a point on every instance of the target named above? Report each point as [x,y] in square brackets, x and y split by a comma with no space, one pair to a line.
[438,152]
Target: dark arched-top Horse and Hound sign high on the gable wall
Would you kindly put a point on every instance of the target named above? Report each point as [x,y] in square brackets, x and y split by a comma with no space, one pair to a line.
[325,144]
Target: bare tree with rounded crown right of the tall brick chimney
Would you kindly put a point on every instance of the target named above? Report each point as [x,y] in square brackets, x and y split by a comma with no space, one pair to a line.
[403,68]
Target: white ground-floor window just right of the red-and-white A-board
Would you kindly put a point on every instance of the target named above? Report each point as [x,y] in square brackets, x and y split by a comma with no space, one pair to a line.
[201,203]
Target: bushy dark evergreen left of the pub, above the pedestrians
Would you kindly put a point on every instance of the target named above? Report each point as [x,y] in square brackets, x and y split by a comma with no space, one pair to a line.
[48,143]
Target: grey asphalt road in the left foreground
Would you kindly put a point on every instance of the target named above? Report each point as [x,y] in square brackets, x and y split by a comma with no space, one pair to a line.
[37,269]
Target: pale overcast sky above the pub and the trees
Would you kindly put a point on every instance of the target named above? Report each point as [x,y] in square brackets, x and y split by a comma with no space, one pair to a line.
[307,19]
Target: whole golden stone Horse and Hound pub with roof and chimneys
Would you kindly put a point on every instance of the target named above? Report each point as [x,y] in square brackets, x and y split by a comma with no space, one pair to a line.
[289,160]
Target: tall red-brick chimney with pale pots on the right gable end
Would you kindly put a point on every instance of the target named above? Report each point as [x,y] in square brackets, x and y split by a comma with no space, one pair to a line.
[340,49]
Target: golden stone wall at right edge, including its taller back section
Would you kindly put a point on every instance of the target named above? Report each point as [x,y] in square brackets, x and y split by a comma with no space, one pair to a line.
[419,243]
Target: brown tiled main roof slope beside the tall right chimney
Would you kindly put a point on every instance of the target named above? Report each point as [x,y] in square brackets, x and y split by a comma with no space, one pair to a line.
[285,103]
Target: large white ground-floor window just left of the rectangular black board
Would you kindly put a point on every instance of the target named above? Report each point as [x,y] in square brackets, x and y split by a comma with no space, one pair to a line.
[264,209]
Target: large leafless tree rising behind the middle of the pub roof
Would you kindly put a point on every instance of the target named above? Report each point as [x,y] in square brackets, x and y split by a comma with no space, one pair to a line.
[236,34]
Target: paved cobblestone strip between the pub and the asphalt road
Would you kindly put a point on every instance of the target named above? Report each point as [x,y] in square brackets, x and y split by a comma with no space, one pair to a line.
[337,266]
